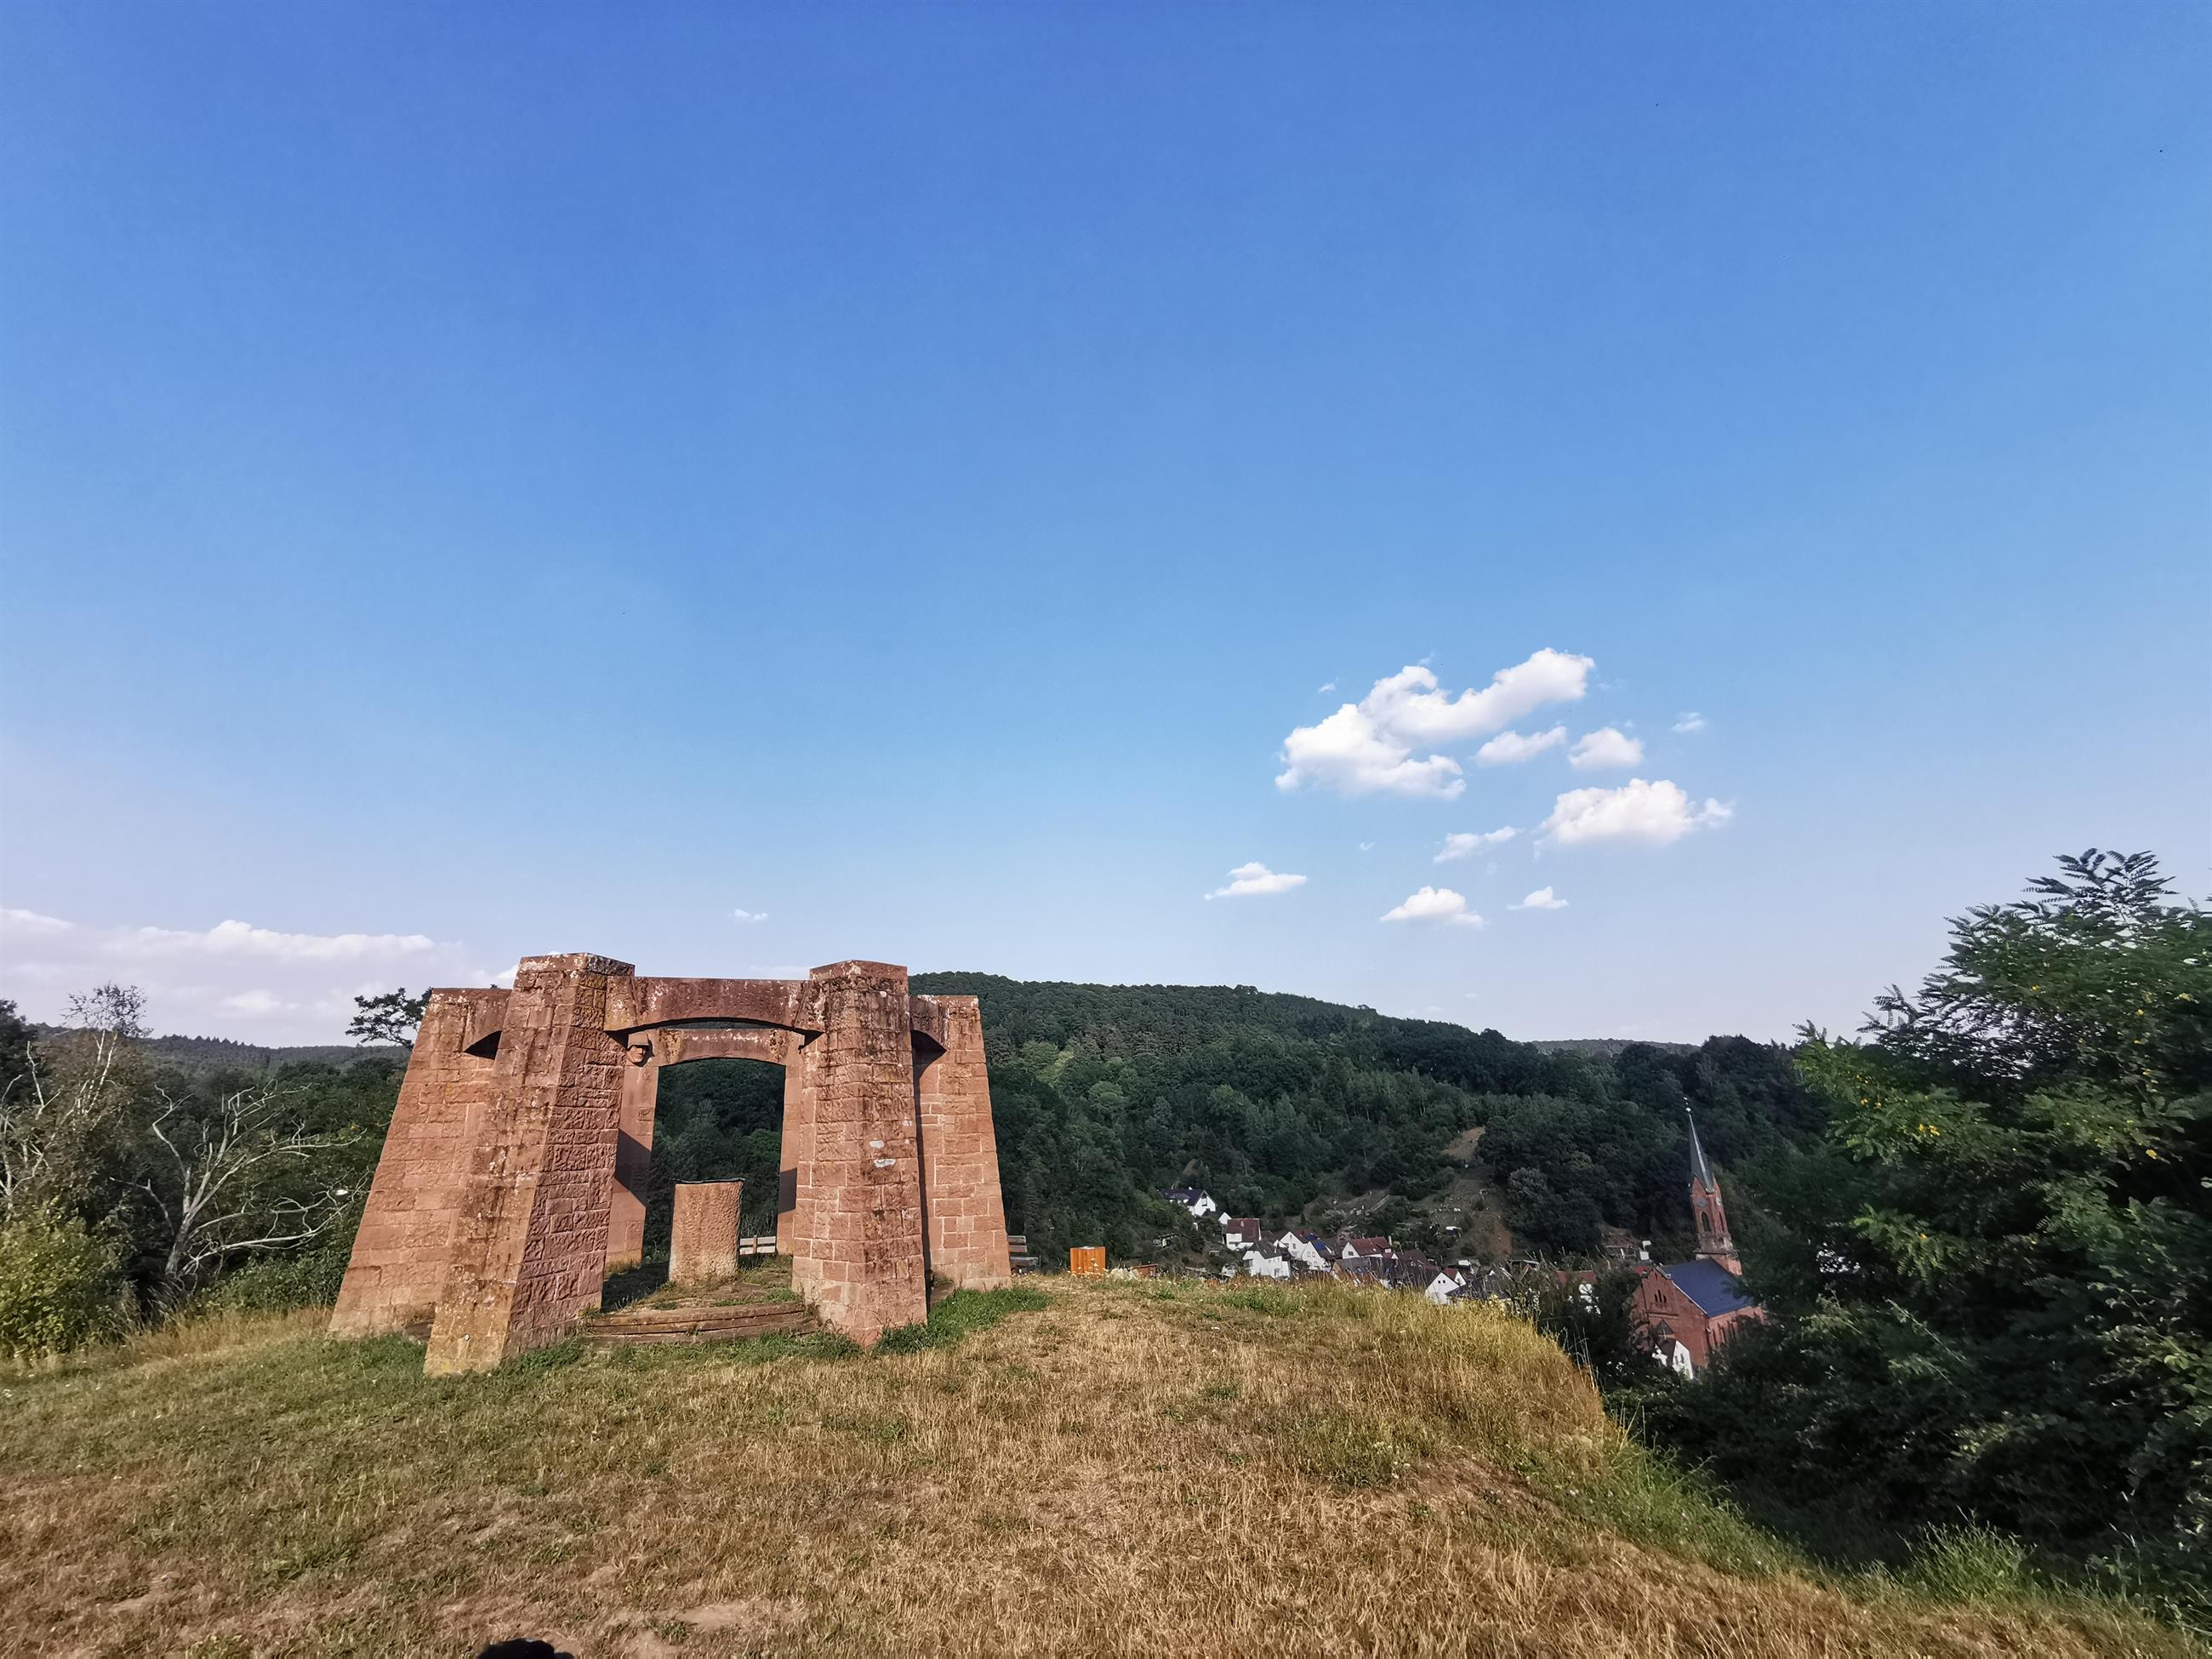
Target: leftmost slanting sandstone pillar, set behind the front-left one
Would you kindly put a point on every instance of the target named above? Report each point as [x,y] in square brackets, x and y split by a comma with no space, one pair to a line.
[406,1233]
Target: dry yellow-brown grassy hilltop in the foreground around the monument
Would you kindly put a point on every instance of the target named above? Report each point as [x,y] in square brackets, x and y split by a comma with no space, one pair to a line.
[1138,1468]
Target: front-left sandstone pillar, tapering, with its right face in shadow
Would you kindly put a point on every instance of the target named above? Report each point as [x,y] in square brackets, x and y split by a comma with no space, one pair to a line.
[530,1249]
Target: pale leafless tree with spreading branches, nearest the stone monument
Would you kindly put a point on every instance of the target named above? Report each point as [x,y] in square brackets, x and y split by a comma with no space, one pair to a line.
[216,1189]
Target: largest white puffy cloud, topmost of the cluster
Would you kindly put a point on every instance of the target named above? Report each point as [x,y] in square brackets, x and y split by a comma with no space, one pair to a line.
[1370,747]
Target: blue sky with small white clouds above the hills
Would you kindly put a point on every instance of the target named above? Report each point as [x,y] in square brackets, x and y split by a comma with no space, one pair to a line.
[525,479]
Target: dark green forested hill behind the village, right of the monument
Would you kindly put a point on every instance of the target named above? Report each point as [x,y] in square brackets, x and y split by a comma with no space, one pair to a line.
[1105,1096]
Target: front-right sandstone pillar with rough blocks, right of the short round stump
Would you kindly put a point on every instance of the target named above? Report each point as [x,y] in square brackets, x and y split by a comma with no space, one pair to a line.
[857,1249]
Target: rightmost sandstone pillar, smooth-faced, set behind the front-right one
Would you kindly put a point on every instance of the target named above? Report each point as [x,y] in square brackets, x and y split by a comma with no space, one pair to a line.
[968,1218]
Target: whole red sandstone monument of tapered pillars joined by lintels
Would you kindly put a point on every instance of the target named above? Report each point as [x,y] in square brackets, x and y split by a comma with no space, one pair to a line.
[494,1211]
